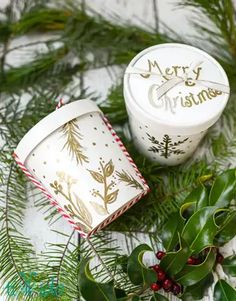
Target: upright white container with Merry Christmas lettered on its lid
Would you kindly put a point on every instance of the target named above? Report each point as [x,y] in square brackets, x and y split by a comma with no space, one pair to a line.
[173,94]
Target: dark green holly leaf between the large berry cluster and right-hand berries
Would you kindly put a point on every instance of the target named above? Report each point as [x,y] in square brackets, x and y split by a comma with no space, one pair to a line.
[173,262]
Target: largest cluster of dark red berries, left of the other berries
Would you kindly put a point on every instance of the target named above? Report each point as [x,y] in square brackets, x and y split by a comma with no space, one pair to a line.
[163,281]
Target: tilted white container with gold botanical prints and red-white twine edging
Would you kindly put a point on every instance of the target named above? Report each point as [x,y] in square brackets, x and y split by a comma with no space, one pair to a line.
[74,156]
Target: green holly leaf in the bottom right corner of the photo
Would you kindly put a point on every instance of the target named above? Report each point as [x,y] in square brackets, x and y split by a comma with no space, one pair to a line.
[224,292]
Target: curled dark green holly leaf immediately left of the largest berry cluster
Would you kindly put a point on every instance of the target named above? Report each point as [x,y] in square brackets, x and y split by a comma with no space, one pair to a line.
[138,273]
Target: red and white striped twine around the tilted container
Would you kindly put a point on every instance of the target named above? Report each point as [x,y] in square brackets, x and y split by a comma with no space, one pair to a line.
[62,211]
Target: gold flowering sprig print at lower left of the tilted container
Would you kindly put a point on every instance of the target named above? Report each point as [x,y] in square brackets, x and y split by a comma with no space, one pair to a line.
[75,207]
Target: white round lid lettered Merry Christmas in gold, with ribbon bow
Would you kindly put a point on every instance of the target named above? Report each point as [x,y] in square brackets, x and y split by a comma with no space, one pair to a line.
[176,87]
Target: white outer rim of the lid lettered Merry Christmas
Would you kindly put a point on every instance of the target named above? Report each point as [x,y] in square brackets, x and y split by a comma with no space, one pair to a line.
[187,128]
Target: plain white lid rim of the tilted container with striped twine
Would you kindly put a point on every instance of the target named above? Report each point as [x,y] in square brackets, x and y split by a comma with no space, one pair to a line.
[52,122]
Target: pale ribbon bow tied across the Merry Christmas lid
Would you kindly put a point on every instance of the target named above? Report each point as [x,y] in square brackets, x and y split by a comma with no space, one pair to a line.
[174,80]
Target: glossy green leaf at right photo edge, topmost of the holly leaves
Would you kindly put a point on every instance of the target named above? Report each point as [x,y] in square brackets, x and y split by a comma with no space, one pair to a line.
[223,189]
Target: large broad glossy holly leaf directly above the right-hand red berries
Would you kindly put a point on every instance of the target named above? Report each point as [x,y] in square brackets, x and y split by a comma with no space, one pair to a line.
[200,229]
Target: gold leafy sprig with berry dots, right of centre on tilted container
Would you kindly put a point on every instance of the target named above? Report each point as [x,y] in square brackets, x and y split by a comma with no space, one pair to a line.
[105,171]
